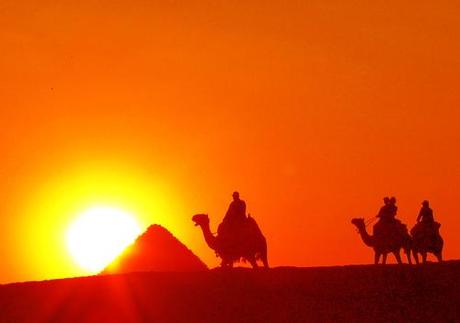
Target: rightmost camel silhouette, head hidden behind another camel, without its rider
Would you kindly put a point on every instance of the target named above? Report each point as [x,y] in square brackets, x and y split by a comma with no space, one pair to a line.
[427,241]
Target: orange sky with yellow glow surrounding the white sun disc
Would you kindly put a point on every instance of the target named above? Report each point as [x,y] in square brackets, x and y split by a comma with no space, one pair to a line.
[313,110]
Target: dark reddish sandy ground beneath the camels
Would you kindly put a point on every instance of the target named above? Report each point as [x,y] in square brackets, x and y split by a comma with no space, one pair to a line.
[429,293]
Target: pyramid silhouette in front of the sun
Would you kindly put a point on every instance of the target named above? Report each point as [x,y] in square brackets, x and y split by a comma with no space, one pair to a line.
[156,250]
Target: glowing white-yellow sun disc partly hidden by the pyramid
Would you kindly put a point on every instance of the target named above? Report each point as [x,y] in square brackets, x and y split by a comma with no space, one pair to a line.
[99,235]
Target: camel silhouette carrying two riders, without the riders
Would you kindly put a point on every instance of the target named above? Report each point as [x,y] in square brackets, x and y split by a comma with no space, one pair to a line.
[387,242]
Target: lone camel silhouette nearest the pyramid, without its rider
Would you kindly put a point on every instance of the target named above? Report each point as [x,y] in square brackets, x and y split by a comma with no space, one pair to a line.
[251,245]
